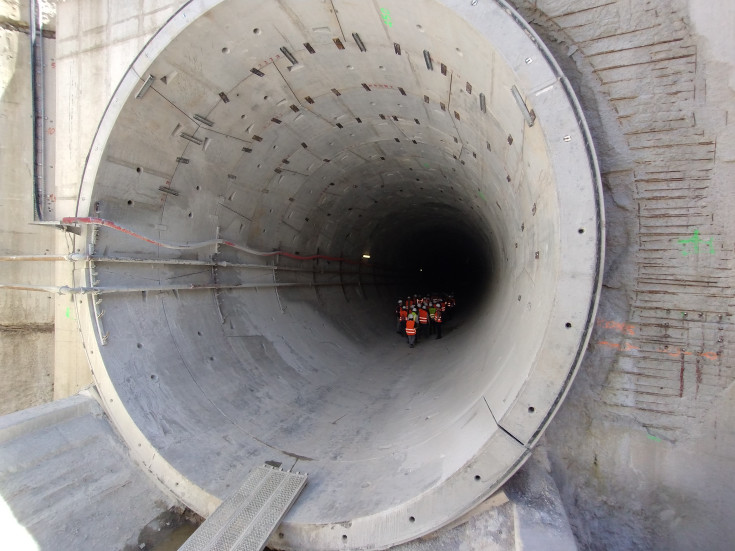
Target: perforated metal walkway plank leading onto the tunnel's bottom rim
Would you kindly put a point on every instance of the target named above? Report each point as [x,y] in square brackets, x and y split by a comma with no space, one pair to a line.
[246,519]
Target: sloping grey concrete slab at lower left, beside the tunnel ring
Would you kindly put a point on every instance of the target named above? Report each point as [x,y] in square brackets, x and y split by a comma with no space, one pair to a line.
[66,478]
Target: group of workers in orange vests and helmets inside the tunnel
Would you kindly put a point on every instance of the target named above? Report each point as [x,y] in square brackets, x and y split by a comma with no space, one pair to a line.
[418,317]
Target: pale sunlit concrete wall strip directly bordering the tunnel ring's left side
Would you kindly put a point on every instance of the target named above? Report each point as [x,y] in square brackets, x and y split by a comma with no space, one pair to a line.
[96,43]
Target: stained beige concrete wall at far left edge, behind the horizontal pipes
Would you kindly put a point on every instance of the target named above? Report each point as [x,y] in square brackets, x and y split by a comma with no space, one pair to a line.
[26,318]
